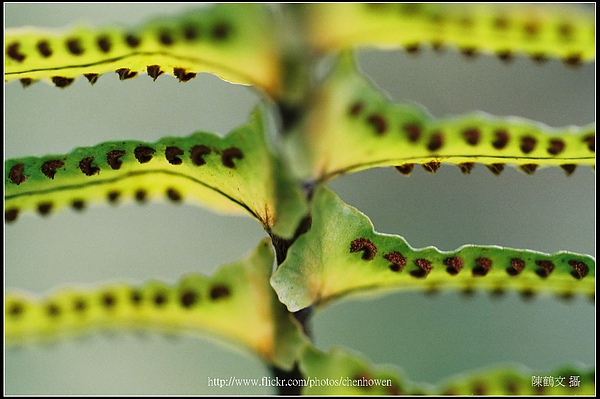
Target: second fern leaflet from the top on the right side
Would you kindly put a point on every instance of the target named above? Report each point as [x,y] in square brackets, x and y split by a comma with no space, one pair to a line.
[353,126]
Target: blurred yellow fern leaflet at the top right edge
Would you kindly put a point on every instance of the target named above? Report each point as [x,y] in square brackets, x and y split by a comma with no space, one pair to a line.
[564,32]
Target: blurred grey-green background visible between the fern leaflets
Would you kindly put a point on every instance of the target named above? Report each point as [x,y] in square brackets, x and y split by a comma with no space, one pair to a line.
[429,338]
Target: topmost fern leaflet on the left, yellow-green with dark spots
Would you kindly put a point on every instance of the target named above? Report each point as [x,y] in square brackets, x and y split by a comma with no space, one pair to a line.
[233,42]
